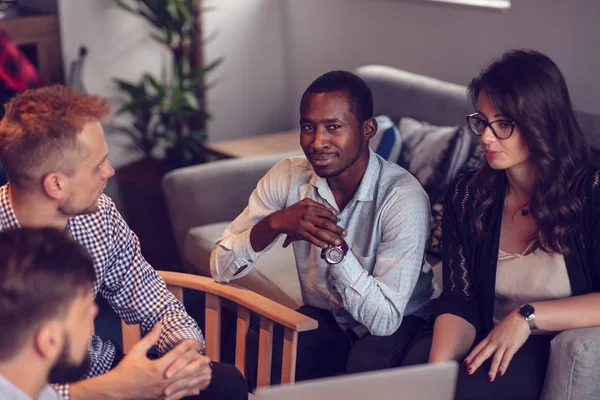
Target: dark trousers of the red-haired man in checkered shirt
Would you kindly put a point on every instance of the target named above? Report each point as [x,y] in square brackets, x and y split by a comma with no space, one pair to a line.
[227,383]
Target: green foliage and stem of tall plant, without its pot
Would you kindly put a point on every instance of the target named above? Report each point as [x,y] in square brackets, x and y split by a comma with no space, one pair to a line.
[169,113]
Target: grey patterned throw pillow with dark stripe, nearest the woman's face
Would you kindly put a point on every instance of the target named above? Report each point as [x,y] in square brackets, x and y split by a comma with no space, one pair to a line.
[435,155]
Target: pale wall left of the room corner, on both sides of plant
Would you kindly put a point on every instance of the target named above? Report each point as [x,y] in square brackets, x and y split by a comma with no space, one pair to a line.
[249,95]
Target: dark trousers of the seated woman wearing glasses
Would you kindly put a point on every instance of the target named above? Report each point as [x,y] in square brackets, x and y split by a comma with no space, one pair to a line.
[522,380]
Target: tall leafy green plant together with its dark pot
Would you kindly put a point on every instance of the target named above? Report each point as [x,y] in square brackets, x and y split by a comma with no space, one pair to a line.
[167,117]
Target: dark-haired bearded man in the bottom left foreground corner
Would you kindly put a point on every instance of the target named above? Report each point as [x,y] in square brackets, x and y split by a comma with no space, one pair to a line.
[47,312]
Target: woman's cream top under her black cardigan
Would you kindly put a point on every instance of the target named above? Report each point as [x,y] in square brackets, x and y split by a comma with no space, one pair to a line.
[520,279]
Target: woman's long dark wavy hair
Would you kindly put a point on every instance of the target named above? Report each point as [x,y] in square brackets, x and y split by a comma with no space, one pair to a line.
[527,87]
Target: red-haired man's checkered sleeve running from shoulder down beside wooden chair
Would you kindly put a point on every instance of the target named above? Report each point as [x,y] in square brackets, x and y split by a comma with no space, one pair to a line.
[135,291]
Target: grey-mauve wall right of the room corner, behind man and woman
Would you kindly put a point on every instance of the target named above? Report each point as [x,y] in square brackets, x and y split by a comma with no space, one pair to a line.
[448,42]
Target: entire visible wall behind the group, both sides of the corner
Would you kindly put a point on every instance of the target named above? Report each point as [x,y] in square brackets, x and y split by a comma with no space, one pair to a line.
[274,48]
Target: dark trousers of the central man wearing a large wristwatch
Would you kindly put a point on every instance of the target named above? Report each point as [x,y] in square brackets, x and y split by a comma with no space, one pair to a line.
[329,351]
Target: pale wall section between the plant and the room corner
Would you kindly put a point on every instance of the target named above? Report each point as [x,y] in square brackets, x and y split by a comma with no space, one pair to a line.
[251,92]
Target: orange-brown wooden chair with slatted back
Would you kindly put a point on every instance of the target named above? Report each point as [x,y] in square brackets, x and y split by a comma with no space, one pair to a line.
[247,301]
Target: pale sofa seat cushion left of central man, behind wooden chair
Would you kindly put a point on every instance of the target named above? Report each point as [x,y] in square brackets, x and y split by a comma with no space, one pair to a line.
[274,274]
